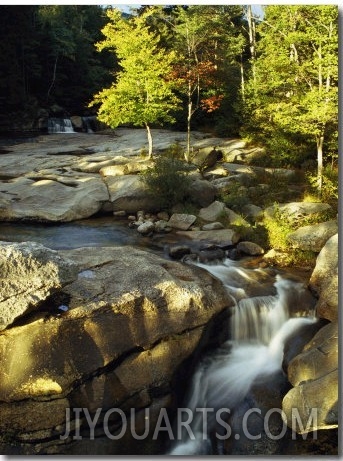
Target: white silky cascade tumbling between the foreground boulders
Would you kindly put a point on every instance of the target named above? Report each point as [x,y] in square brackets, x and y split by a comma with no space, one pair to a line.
[259,327]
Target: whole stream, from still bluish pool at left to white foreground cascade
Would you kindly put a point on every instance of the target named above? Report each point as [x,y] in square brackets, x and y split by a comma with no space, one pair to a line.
[269,307]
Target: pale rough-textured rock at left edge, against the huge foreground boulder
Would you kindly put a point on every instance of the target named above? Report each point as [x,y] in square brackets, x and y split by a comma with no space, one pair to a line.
[29,273]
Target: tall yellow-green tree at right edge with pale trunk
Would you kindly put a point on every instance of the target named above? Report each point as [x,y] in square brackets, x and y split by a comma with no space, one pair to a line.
[295,92]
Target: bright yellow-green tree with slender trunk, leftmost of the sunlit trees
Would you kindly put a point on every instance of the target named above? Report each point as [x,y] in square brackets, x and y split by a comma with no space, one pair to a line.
[143,91]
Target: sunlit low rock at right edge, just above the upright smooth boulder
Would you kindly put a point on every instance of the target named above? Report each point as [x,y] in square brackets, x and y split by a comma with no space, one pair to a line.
[313,237]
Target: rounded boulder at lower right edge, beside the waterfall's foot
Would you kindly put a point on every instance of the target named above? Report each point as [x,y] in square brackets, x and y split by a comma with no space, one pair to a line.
[314,373]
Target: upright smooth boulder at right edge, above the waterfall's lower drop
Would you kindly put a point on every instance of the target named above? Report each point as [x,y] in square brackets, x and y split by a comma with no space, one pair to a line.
[324,280]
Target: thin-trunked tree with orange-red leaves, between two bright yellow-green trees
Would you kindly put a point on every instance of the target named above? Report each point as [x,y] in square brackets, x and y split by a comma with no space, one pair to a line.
[205,39]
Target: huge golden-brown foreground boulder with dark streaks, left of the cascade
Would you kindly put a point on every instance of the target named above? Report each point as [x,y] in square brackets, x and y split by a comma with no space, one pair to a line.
[133,318]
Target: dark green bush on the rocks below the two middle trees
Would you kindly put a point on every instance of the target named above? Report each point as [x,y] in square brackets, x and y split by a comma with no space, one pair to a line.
[167,180]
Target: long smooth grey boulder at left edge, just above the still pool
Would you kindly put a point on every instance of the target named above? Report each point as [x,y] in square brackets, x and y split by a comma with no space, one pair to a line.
[65,199]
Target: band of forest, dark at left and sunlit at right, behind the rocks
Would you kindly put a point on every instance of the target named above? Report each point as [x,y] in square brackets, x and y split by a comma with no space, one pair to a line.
[271,80]
